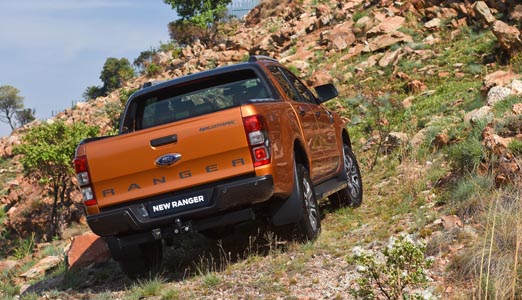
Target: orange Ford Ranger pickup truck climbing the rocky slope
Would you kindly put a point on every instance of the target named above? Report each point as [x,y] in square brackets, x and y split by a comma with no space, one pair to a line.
[213,149]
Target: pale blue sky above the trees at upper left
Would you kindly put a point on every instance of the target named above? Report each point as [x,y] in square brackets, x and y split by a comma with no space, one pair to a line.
[52,50]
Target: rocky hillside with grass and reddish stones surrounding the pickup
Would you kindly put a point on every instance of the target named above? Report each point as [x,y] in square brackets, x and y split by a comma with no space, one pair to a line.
[432,91]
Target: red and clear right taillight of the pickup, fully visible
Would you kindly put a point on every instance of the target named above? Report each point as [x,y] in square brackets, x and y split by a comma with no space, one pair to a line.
[257,135]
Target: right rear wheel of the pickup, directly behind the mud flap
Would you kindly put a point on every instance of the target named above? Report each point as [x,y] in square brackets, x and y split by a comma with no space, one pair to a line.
[309,226]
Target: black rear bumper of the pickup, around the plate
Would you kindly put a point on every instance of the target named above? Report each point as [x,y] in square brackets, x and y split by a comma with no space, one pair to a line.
[229,203]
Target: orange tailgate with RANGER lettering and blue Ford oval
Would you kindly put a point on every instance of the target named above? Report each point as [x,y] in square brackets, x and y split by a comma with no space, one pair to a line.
[201,149]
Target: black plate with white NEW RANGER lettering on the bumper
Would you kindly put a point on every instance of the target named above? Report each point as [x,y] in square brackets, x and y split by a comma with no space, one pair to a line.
[177,204]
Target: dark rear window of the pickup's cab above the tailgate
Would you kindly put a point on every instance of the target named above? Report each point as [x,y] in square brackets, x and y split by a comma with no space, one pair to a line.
[194,99]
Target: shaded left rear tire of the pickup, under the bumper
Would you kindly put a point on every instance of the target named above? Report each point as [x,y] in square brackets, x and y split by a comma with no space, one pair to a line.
[143,260]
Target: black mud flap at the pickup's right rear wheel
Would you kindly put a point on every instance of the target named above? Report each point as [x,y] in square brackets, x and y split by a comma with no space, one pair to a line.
[290,210]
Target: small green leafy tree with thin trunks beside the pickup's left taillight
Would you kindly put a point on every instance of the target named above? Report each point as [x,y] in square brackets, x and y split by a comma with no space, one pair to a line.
[47,153]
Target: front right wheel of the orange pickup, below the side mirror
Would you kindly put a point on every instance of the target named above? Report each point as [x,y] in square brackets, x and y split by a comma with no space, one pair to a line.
[351,195]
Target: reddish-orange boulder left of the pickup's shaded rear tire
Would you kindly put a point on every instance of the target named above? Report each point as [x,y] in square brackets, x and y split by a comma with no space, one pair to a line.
[87,249]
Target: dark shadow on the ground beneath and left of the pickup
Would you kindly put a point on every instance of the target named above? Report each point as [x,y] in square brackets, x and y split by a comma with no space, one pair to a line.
[190,255]
